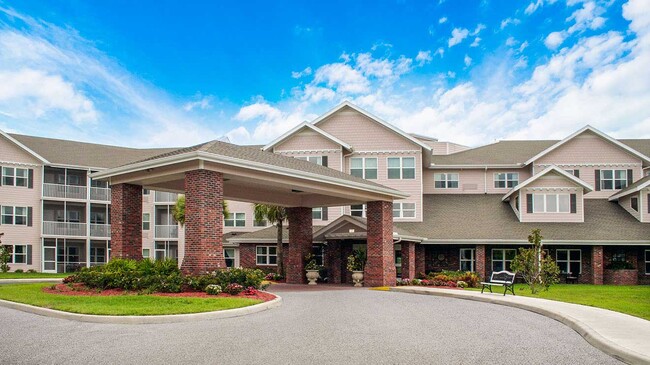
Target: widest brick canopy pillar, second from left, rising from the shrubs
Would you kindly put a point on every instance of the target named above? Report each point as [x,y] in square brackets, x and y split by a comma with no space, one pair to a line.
[203,222]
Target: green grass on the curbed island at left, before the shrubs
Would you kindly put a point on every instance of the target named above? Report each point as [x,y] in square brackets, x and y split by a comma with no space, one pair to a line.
[119,305]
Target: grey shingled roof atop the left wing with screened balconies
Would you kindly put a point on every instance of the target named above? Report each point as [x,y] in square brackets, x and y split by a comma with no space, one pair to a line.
[59,151]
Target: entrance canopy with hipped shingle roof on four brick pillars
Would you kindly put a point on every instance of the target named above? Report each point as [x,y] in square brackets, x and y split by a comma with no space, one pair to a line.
[211,172]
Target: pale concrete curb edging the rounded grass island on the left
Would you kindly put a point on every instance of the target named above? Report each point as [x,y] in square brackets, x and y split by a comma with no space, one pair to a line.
[159,319]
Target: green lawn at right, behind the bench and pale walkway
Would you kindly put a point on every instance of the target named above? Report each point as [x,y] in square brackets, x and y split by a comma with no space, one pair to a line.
[633,300]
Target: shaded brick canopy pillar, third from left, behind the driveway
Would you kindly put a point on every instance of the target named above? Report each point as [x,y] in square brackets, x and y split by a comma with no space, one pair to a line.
[300,242]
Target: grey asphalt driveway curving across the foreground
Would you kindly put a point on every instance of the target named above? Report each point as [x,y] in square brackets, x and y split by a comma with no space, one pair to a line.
[324,327]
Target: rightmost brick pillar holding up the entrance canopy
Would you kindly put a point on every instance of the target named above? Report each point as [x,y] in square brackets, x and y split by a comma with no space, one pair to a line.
[380,266]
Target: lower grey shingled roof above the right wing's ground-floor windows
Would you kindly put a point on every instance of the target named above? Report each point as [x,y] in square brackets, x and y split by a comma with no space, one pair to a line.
[458,217]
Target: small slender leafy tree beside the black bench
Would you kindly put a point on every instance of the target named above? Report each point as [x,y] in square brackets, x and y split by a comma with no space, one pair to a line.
[536,267]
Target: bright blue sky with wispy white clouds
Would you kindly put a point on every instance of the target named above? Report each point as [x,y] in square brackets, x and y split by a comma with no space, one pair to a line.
[167,73]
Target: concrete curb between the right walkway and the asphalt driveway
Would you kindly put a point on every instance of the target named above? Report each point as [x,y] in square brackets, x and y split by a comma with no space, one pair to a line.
[589,334]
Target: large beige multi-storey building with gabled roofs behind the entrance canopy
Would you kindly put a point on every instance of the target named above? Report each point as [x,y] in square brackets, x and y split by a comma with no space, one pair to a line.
[468,208]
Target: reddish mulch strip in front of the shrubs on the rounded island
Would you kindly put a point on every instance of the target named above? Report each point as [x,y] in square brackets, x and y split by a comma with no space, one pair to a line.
[81,290]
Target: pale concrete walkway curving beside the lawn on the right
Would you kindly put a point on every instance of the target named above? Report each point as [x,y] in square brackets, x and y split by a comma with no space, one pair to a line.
[620,335]
